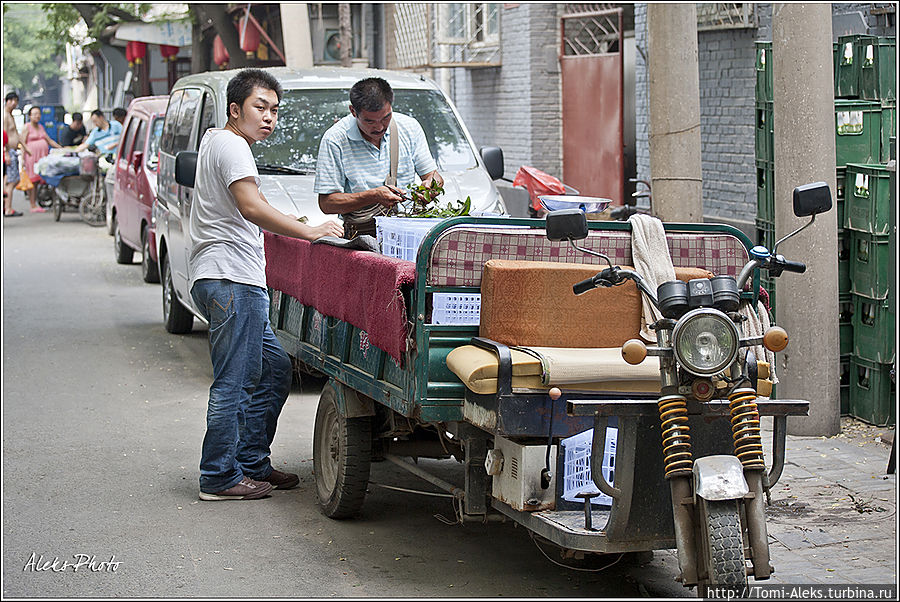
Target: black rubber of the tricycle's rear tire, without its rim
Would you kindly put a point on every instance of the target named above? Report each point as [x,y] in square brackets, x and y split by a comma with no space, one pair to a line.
[349,493]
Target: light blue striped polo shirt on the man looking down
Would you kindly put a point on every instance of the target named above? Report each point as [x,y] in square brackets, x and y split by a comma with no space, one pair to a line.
[349,163]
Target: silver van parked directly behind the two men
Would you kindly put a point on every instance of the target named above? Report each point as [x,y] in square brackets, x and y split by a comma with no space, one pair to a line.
[314,99]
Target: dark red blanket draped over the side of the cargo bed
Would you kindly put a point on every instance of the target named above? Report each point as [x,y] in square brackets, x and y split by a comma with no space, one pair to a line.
[354,286]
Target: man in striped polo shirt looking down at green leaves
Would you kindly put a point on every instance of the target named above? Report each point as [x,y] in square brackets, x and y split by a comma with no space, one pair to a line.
[354,159]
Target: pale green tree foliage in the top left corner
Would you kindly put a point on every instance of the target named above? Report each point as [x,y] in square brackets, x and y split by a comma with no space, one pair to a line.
[27,57]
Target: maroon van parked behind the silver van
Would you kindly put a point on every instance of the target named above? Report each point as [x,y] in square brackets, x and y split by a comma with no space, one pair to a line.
[135,183]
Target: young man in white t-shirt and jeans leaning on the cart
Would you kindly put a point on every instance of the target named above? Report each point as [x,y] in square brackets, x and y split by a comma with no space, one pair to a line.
[251,372]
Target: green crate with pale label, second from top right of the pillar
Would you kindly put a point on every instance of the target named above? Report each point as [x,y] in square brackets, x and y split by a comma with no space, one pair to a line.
[857,131]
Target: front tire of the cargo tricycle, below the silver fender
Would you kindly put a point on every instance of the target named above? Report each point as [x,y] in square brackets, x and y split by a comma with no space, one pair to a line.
[724,546]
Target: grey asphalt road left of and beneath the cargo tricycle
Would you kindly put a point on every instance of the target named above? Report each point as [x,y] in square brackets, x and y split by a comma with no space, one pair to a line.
[103,414]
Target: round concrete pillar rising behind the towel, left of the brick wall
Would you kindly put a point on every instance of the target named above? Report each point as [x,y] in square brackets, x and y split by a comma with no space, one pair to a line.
[675,169]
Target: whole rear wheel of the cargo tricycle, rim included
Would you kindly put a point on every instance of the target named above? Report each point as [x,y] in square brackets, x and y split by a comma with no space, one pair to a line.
[342,454]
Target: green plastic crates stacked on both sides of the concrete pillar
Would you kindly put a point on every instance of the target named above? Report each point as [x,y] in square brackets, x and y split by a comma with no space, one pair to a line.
[865,121]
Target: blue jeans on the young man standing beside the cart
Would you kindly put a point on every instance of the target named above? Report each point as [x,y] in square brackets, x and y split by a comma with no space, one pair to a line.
[251,382]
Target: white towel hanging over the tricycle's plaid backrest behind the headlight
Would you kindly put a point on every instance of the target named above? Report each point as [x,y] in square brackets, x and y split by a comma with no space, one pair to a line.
[650,255]
